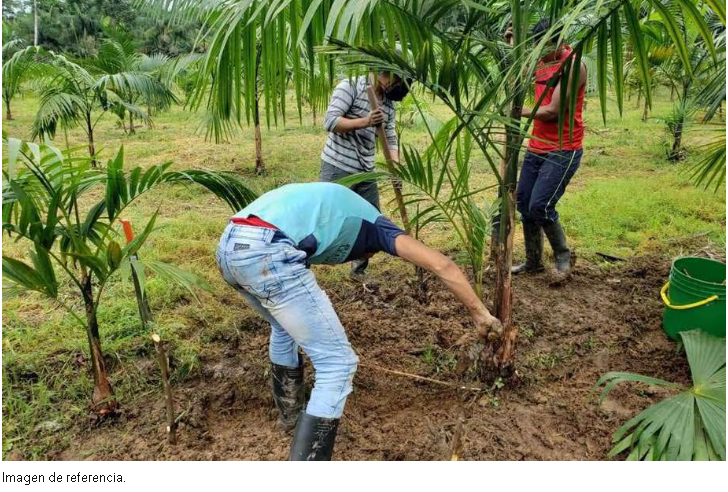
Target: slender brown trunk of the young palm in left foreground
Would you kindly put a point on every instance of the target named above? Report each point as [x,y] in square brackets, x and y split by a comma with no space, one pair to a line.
[103,399]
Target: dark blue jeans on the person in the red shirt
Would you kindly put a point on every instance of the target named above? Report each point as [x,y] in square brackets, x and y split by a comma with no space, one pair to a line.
[543,180]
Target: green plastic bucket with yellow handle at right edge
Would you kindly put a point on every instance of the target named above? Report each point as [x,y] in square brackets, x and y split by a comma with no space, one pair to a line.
[695,297]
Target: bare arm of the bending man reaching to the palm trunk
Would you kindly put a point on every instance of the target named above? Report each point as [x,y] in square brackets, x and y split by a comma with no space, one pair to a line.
[448,272]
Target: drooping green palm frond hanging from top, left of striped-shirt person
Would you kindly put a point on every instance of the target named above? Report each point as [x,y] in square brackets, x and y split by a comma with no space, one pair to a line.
[255,50]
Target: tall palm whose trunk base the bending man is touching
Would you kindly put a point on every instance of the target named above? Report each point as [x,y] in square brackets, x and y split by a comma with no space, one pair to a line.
[452,47]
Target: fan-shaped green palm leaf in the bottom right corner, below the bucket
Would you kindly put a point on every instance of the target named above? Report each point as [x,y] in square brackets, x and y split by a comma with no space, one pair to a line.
[688,426]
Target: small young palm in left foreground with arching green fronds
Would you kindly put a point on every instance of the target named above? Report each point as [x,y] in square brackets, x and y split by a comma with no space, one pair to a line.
[42,188]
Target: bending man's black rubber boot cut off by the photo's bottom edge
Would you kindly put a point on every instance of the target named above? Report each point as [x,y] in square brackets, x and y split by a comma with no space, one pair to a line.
[314,438]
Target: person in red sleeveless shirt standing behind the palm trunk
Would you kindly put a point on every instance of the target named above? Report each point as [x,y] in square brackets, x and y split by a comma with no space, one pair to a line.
[554,152]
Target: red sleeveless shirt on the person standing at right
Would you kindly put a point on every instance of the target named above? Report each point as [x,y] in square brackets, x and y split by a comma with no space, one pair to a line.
[547,132]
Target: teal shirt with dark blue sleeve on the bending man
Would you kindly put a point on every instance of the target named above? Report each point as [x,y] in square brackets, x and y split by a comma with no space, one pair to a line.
[331,223]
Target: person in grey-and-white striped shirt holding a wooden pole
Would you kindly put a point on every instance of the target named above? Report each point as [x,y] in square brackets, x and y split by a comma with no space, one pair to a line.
[350,145]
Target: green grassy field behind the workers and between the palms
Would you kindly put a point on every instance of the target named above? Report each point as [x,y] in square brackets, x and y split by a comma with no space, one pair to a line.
[626,199]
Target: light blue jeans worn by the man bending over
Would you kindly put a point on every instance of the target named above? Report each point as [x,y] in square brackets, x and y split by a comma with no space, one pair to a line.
[265,267]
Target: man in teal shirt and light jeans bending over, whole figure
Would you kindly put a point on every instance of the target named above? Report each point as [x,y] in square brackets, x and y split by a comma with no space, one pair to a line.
[264,253]
